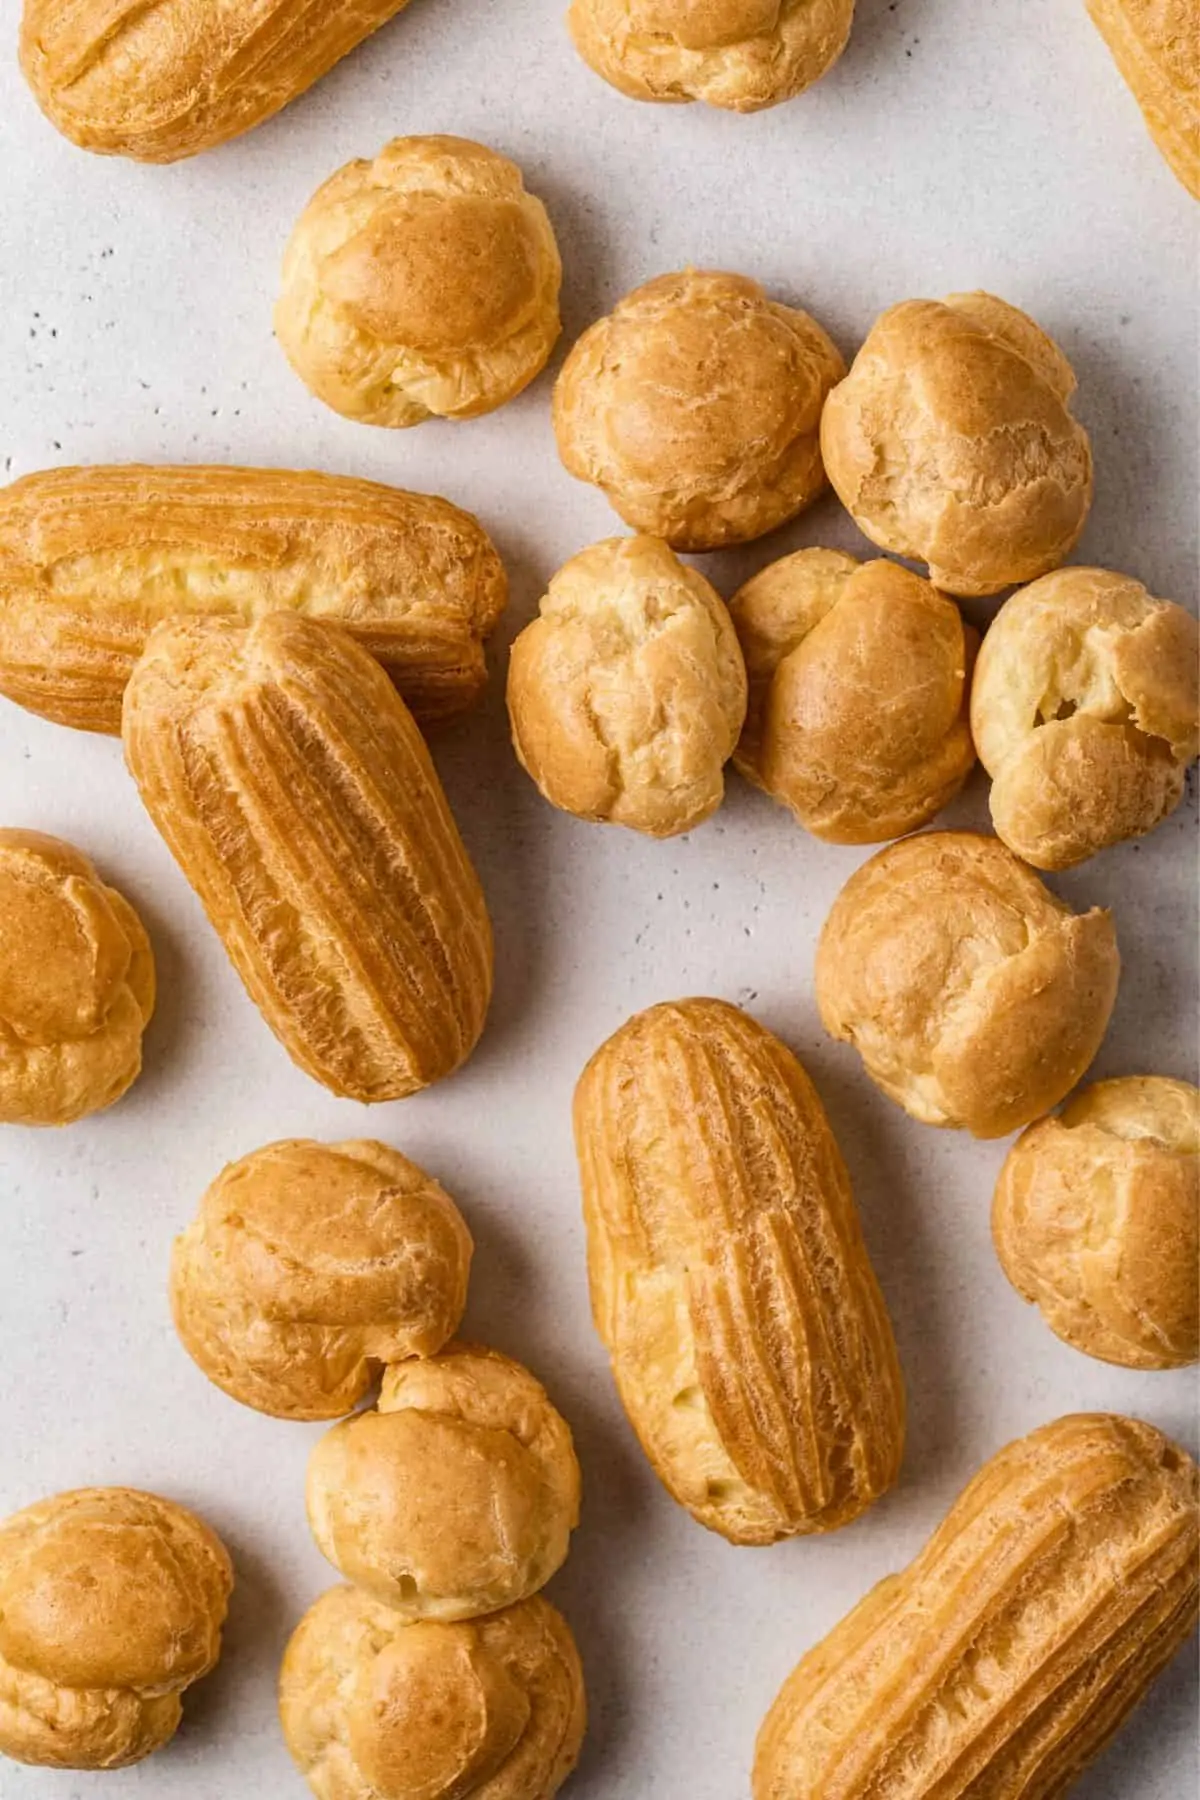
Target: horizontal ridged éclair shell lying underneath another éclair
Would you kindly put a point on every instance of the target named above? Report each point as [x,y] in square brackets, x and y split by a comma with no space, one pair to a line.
[93,559]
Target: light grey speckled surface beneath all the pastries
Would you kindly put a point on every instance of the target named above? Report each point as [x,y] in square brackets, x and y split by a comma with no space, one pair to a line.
[956,145]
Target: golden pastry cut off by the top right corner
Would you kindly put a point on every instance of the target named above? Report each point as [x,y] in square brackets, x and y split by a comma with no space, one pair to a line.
[1156,44]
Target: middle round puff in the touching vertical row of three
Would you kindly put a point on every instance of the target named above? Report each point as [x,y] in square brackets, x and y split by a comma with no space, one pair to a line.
[456,1497]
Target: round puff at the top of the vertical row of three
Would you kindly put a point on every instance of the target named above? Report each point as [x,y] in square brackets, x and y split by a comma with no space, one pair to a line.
[309,1264]
